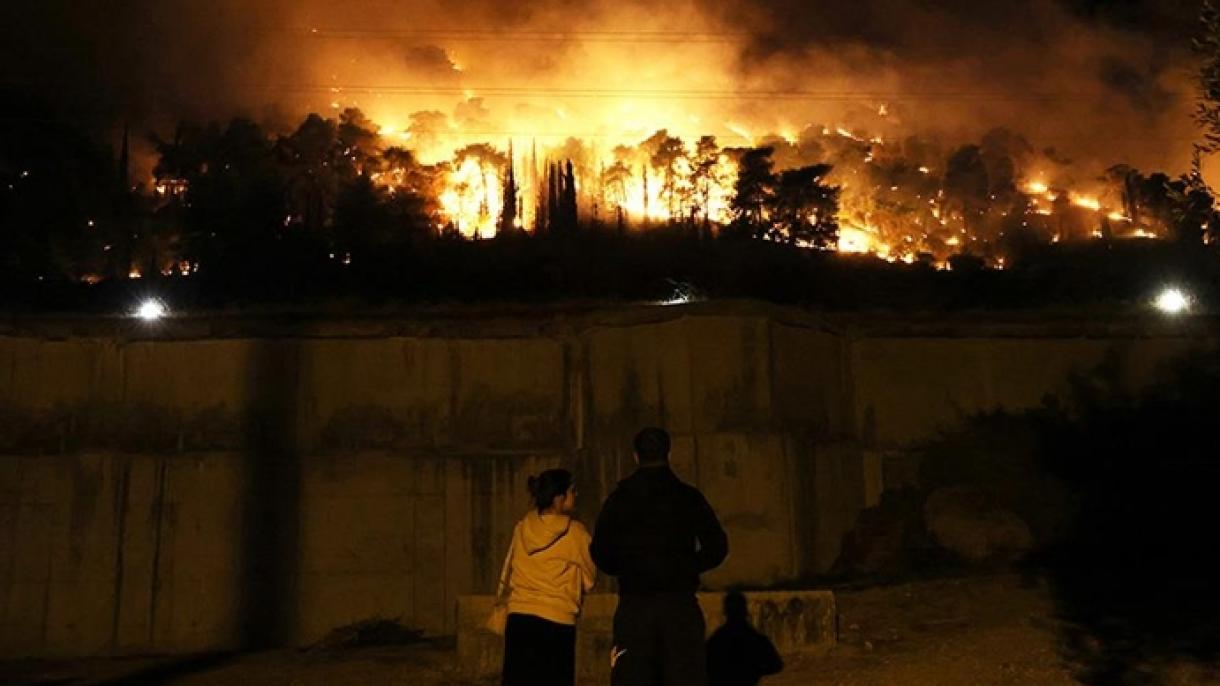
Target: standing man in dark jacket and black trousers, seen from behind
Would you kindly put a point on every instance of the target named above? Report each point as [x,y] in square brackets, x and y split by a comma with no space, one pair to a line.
[658,535]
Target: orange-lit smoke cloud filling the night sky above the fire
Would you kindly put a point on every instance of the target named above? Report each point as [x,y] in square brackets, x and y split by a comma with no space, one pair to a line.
[1103,80]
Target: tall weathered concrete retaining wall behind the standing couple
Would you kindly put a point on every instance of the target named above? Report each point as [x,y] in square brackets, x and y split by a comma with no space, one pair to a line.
[217,483]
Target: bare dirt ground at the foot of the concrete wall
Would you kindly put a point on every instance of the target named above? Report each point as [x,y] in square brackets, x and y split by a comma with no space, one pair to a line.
[992,630]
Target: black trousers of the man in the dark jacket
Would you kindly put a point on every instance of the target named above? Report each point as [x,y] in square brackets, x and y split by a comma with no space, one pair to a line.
[658,641]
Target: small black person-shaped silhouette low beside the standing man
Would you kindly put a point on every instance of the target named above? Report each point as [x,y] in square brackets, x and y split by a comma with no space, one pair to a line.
[737,654]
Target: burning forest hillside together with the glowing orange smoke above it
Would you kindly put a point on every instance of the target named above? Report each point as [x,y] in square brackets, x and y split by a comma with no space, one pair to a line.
[634,118]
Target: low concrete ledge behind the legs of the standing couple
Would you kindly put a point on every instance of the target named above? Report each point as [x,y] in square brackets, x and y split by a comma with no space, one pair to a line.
[796,622]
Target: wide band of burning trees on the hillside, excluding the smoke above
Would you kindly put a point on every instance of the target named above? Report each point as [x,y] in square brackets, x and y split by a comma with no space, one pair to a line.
[825,187]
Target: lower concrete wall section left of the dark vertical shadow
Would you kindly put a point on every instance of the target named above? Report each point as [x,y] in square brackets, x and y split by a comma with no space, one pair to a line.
[109,555]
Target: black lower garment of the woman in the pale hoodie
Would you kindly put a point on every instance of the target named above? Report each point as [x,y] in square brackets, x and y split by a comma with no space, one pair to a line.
[539,652]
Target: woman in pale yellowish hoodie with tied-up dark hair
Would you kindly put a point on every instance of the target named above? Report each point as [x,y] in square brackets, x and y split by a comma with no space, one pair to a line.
[547,574]
